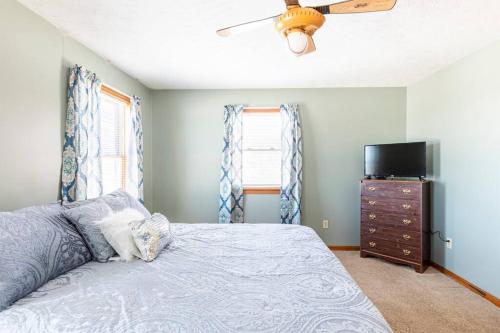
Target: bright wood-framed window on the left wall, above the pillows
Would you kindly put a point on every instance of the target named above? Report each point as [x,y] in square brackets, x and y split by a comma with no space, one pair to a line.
[114,108]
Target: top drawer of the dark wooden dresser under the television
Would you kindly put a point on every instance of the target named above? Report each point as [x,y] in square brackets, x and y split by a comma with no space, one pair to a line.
[390,189]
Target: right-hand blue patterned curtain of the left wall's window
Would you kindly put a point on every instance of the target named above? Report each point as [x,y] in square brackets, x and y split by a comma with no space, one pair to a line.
[135,177]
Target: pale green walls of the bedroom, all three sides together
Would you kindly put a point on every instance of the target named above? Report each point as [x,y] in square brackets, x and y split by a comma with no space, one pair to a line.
[457,110]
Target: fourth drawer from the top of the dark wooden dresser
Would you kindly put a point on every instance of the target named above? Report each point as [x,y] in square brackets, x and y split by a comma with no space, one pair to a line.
[397,235]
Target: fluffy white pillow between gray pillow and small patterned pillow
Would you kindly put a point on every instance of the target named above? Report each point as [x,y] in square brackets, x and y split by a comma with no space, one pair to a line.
[115,229]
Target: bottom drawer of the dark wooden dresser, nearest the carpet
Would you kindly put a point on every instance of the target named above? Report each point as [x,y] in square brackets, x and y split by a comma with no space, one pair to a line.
[397,250]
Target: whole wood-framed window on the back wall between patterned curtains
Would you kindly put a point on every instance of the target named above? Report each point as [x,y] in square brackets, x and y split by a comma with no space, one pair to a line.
[261,151]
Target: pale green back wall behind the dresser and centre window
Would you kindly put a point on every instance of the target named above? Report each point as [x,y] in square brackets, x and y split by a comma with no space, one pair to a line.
[187,144]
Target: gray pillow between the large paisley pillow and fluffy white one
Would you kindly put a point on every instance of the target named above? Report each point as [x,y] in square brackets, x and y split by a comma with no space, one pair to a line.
[85,219]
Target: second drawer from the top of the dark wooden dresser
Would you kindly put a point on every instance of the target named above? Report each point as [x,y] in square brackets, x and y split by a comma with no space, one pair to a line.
[384,204]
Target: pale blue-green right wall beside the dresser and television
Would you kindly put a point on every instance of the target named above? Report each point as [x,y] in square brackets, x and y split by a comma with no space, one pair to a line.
[458,111]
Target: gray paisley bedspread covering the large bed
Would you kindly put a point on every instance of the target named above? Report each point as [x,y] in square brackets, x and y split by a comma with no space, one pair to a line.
[212,278]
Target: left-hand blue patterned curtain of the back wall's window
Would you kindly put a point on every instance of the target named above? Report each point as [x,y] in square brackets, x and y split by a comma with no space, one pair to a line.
[231,187]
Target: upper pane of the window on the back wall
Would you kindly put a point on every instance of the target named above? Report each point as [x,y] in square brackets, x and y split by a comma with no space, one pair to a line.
[261,130]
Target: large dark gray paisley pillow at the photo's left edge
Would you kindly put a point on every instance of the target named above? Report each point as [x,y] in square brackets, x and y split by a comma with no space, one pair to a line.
[37,244]
